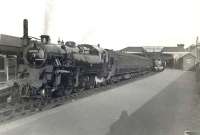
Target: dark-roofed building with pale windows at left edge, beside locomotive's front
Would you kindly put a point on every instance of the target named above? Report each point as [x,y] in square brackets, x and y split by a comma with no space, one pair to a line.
[10,48]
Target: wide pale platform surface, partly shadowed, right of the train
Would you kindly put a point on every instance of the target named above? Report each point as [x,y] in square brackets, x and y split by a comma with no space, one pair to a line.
[164,103]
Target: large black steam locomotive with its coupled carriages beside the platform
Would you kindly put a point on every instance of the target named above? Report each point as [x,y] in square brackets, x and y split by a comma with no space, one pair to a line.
[49,70]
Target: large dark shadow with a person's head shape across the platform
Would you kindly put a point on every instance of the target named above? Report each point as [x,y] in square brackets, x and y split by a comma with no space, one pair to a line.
[172,111]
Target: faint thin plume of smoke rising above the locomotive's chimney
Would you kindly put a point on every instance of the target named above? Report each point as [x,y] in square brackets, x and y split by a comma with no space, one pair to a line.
[47,16]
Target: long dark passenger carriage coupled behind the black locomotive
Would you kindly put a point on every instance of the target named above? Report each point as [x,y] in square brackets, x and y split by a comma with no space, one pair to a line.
[125,66]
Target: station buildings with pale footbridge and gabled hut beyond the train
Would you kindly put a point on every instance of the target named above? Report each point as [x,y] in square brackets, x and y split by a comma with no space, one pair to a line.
[175,57]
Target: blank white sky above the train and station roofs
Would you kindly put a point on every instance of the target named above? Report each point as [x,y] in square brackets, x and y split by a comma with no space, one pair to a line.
[114,24]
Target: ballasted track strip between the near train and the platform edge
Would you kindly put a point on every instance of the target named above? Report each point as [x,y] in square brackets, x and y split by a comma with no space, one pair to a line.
[14,111]
